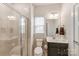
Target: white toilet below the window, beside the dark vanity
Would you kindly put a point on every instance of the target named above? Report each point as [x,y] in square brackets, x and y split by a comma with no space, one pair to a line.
[38,51]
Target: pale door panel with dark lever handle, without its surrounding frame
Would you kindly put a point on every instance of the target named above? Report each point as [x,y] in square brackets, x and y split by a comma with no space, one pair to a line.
[76,41]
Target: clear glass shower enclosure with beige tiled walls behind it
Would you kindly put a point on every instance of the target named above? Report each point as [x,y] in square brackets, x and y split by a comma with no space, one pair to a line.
[12,40]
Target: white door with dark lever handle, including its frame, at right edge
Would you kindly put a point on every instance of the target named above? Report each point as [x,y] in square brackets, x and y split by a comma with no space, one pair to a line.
[76,29]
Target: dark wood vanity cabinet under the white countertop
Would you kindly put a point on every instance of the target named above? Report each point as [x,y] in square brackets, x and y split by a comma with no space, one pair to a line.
[57,49]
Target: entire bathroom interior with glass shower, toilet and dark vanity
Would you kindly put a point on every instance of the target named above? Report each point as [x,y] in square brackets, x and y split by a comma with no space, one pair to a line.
[39,29]
